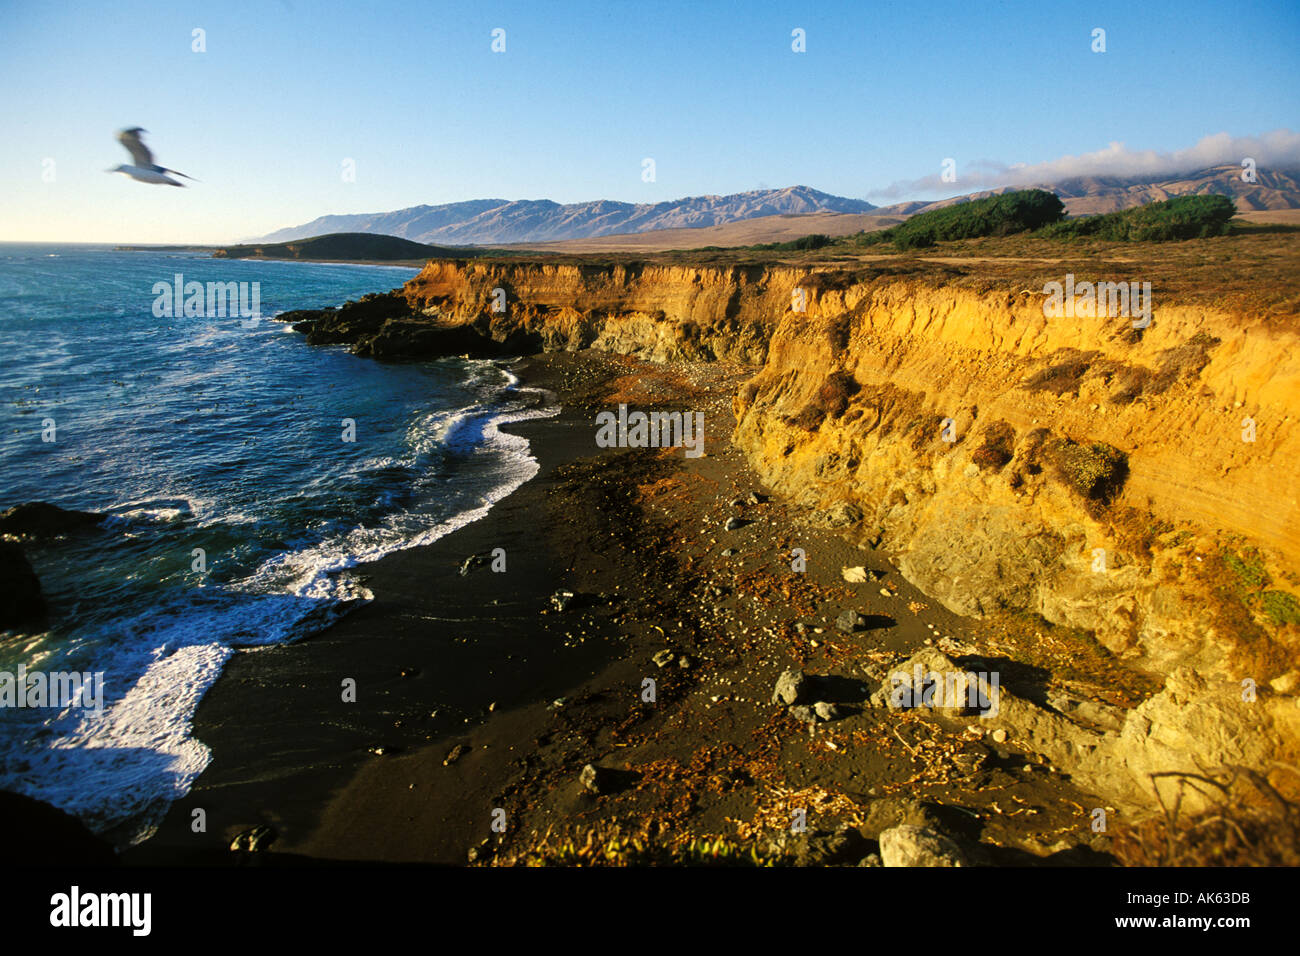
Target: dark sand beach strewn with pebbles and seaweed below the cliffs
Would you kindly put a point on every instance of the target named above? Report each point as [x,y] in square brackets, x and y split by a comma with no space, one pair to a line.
[475,697]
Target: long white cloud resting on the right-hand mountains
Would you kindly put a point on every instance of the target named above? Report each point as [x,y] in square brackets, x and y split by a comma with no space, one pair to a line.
[1279,150]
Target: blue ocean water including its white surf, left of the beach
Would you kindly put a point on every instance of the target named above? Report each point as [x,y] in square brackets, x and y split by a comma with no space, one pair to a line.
[205,434]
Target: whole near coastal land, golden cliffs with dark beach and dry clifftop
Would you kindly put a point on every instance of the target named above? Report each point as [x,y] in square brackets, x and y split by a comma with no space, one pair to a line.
[909,468]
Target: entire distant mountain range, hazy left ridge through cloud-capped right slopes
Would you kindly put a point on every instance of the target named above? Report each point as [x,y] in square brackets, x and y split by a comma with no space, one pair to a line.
[502,222]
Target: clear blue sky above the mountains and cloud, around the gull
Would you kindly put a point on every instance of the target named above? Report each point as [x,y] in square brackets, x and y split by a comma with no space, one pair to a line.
[413,93]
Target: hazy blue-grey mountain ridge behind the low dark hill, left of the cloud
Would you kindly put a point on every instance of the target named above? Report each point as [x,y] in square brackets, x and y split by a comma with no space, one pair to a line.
[496,222]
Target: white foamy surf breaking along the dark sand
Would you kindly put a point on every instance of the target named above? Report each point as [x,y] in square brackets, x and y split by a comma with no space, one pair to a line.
[122,769]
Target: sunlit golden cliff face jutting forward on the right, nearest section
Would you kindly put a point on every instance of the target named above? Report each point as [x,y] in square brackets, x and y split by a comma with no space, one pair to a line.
[1008,513]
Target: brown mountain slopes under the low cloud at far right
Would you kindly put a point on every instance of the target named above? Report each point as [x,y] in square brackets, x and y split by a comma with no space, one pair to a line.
[1087,196]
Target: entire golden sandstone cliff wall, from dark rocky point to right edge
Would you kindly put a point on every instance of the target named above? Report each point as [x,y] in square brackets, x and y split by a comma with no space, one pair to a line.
[1137,483]
